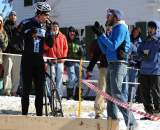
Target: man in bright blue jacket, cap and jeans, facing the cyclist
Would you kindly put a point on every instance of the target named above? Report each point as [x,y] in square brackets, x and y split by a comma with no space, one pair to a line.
[116,50]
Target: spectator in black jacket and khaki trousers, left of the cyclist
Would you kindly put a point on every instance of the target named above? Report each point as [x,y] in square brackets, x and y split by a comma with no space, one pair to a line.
[11,63]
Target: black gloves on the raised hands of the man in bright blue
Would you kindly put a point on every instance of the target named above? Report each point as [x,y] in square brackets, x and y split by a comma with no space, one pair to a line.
[98,29]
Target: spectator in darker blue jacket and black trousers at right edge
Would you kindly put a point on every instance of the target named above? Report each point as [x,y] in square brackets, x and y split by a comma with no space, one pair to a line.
[149,53]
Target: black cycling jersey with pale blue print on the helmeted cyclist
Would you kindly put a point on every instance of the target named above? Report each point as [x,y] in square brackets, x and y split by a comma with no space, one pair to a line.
[33,46]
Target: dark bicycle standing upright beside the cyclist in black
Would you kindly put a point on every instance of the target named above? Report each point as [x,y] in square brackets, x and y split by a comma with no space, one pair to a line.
[51,97]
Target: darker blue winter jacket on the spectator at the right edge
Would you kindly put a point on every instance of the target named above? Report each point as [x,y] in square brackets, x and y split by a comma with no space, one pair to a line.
[150,63]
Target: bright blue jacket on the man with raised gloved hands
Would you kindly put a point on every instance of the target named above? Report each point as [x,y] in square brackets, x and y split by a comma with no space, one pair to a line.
[109,46]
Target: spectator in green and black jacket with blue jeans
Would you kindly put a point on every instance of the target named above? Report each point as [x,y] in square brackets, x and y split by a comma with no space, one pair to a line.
[74,52]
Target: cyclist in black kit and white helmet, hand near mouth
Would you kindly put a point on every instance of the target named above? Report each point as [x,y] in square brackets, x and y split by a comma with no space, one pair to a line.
[34,36]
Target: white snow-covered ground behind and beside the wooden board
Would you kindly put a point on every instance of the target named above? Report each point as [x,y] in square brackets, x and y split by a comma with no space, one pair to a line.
[12,106]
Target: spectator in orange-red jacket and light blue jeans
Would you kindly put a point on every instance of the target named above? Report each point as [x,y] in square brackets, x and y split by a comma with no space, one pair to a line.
[58,51]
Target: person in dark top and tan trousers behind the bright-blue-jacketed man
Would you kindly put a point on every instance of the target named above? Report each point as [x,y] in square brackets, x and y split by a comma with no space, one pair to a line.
[99,105]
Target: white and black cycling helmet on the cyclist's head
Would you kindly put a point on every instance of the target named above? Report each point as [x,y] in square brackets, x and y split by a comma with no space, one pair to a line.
[42,8]
